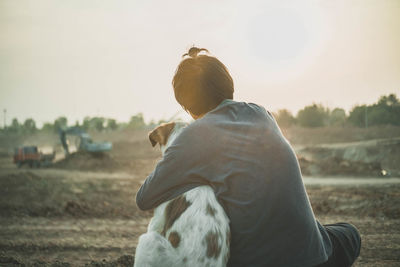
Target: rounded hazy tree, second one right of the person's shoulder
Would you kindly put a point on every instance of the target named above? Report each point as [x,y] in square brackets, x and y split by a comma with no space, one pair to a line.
[313,116]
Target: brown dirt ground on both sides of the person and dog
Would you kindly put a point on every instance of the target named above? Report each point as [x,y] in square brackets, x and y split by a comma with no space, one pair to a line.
[81,211]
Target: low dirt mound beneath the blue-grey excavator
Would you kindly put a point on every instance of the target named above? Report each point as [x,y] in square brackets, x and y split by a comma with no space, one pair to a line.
[88,161]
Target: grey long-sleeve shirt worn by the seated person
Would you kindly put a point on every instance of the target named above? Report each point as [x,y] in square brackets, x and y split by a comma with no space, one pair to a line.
[239,150]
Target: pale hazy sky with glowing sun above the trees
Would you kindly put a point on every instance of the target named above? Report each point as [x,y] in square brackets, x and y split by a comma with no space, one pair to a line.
[117,58]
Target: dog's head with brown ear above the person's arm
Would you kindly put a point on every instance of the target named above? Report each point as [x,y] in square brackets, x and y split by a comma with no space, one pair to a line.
[165,133]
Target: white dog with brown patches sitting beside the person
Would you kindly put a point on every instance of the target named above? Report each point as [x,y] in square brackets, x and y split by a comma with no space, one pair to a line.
[190,230]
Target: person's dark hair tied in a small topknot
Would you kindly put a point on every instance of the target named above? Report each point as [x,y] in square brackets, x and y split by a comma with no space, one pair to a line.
[201,82]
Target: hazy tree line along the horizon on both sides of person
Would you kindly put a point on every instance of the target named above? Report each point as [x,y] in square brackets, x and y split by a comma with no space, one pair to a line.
[386,111]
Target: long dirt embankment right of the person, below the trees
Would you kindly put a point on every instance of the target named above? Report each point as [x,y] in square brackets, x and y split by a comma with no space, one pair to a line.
[370,158]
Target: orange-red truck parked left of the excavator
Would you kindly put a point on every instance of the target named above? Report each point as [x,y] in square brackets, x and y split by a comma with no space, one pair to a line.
[32,156]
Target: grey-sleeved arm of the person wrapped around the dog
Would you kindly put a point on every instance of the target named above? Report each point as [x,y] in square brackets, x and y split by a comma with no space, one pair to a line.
[178,171]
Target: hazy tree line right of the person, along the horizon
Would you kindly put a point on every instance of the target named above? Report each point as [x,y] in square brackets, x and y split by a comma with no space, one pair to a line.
[386,111]
